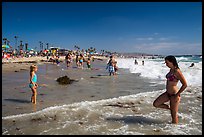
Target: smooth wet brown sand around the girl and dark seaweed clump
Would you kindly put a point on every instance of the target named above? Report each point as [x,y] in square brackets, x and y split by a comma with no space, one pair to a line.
[92,84]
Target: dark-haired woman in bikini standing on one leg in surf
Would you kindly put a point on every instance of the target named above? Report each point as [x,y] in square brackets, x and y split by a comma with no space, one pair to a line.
[172,93]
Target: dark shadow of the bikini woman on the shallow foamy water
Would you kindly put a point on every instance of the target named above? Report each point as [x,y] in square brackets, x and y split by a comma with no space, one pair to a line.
[135,120]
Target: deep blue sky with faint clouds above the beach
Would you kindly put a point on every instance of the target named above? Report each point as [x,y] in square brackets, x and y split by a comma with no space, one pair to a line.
[144,27]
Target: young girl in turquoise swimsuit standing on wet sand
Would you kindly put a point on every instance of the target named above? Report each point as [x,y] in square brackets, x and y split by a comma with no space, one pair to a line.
[33,83]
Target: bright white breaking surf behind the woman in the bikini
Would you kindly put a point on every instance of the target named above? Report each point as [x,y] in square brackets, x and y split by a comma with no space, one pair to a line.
[156,69]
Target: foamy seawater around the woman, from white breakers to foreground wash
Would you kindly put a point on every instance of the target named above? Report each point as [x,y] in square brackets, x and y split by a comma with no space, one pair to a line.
[131,114]
